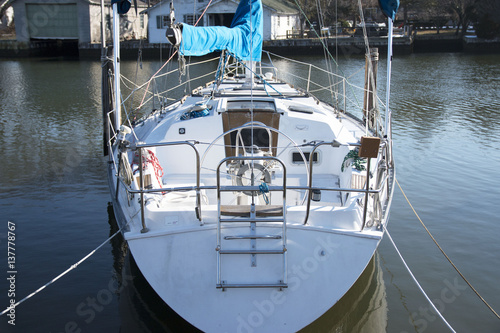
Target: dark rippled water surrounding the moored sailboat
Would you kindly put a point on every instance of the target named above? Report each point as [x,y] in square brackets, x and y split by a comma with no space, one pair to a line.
[446,110]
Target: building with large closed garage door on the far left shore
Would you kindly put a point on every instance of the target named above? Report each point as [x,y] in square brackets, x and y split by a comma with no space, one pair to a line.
[73,20]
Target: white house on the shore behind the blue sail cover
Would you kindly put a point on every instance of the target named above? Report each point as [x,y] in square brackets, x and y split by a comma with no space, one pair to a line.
[279,17]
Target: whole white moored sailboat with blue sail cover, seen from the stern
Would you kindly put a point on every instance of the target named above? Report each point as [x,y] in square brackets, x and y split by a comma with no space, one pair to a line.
[245,203]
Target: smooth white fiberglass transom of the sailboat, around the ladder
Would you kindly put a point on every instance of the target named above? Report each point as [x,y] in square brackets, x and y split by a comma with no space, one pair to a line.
[322,266]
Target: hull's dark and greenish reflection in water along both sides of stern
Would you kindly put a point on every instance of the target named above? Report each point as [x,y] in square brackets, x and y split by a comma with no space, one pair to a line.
[362,309]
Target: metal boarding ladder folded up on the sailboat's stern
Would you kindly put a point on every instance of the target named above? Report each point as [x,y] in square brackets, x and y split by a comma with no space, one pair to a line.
[234,248]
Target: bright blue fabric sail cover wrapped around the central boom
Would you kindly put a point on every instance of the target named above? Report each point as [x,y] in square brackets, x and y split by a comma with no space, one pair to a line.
[243,39]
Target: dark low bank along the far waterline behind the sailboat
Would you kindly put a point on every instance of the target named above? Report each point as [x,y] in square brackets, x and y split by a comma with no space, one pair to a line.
[344,45]
